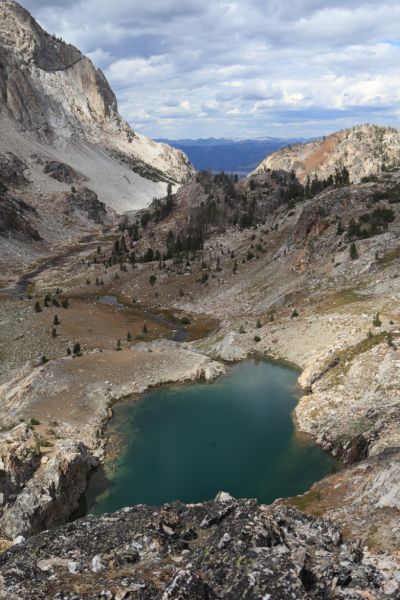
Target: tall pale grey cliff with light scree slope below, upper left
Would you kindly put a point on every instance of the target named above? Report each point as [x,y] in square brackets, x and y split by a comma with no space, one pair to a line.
[55,103]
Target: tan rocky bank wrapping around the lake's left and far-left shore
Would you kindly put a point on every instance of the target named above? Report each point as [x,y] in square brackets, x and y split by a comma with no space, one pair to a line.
[44,468]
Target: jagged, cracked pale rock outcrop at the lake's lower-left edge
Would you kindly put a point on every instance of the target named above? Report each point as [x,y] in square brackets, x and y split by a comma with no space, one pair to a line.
[40,482]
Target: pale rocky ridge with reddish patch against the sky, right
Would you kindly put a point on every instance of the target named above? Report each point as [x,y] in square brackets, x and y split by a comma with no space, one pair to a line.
[363,150]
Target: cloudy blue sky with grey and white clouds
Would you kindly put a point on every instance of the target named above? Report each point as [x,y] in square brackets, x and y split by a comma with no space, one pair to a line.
[251,68]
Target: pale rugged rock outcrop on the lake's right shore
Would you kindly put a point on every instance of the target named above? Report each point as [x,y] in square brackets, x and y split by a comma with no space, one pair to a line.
[353,403]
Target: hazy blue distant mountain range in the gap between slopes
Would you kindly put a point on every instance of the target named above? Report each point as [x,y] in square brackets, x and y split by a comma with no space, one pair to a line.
[229,155]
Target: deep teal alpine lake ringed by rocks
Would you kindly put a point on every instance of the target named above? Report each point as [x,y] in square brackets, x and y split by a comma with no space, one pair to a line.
[189,442]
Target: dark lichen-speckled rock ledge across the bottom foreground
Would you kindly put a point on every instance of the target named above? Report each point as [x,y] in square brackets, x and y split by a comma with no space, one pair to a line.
[227,549]
